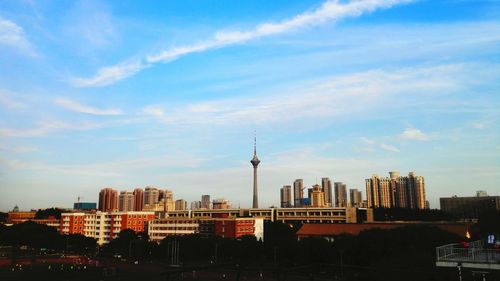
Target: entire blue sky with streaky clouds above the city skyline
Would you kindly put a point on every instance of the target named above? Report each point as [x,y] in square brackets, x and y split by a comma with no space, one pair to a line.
[135,93]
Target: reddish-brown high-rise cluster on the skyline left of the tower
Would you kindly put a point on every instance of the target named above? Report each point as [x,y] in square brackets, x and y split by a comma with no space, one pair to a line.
[149,199]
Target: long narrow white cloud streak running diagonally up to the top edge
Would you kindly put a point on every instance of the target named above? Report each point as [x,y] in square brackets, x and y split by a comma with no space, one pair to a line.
[327,12]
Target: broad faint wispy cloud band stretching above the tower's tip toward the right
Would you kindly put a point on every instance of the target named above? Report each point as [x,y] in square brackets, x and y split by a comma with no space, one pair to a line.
[341,96]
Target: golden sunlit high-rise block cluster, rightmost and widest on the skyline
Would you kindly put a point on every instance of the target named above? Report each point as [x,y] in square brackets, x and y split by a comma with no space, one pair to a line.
[396,191]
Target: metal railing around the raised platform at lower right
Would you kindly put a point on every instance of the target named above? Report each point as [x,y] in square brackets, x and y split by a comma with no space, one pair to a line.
[474,253]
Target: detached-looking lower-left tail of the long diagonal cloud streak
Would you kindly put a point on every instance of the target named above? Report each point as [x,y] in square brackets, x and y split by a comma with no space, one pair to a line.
[109,75]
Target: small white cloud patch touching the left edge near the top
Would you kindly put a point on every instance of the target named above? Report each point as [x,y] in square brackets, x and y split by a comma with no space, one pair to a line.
[13,35]
